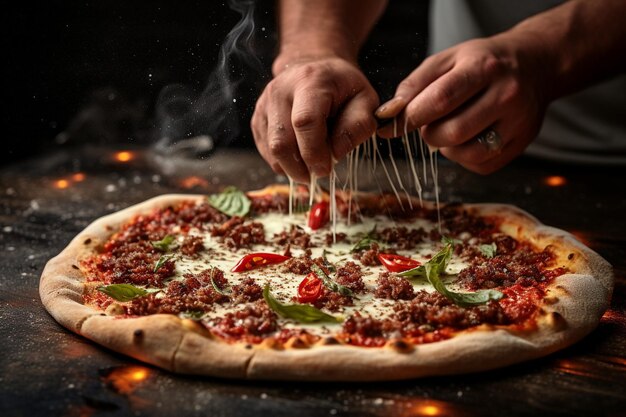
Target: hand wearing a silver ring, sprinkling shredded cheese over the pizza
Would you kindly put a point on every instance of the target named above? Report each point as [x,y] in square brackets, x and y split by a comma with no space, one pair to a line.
[453,96]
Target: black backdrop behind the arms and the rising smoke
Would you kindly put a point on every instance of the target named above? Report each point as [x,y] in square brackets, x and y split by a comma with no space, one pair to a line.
[80,72]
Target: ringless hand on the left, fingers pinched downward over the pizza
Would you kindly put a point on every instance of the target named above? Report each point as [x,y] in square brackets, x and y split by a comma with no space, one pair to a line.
[311,113]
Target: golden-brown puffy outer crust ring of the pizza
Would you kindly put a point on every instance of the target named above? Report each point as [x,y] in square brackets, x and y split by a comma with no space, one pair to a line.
[572,308]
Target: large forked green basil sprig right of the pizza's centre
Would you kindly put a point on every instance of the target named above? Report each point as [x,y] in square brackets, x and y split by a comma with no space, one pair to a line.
[435,267]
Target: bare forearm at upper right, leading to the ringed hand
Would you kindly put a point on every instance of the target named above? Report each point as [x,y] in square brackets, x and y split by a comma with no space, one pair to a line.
[580,42]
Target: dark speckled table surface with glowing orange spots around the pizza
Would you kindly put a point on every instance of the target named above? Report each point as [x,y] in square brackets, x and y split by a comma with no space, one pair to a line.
[46,370]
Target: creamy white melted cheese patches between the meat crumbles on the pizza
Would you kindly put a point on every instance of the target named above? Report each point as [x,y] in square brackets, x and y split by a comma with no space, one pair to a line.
[284,284]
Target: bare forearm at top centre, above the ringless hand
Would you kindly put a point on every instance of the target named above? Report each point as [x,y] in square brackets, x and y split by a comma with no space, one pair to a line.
[310,29]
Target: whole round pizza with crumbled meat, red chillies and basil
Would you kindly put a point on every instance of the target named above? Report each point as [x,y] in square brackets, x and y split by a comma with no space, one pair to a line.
[282,284]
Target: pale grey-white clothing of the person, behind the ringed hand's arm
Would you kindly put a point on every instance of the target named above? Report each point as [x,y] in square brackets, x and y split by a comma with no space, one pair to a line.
[588,126]
